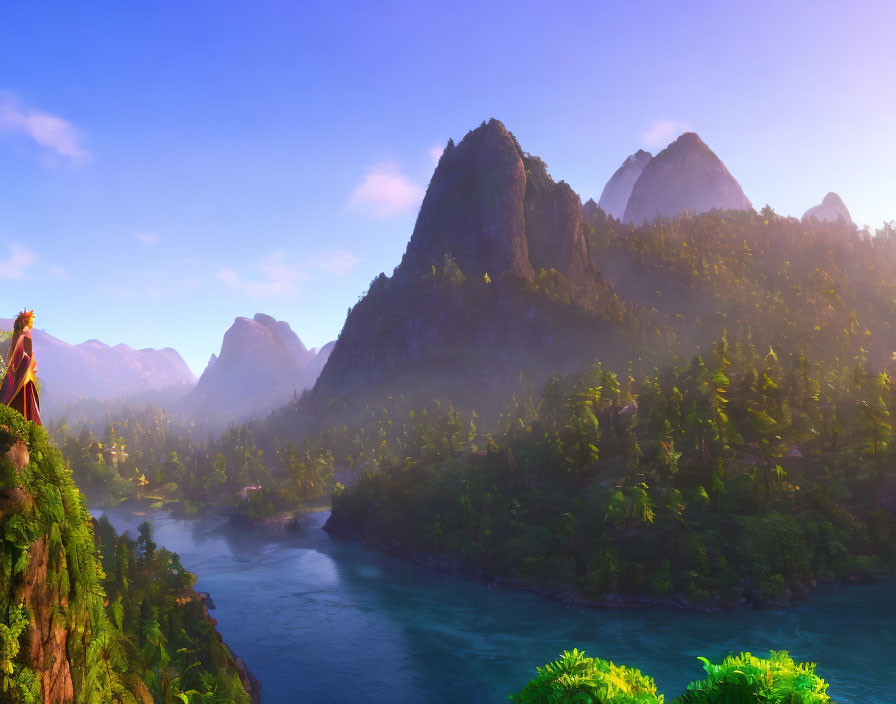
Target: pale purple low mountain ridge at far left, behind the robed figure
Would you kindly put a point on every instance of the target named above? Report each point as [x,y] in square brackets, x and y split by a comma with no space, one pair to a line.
[95,370]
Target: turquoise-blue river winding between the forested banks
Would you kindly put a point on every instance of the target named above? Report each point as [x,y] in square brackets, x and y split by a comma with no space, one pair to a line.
[320,620]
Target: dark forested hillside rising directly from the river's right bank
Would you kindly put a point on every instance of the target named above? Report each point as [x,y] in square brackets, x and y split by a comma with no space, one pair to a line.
[741,477]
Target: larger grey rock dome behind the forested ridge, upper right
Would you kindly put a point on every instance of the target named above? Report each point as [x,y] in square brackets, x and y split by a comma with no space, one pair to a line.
[686,177]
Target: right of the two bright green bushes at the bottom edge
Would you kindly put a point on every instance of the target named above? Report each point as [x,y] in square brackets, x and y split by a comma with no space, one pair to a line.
[747,679]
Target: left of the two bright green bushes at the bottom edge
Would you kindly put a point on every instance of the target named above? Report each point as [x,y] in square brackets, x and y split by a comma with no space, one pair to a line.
[583,680]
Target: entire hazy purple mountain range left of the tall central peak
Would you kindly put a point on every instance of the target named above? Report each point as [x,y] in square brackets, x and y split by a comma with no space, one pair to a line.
[262,364]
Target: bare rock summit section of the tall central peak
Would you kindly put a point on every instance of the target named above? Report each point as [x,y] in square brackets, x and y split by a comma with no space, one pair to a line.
[495,210]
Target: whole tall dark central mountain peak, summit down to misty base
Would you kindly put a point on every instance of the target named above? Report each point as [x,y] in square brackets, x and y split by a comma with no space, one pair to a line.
[497,279]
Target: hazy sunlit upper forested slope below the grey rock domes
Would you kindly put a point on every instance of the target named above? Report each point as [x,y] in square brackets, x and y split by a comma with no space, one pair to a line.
[820,288]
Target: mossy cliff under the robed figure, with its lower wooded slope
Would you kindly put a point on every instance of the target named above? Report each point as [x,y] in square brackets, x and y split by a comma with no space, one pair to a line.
[61,640]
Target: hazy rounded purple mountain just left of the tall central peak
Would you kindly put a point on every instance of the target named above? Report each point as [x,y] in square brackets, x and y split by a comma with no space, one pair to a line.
[262,365]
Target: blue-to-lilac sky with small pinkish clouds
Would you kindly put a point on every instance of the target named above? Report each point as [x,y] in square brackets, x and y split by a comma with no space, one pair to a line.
[168,165]
